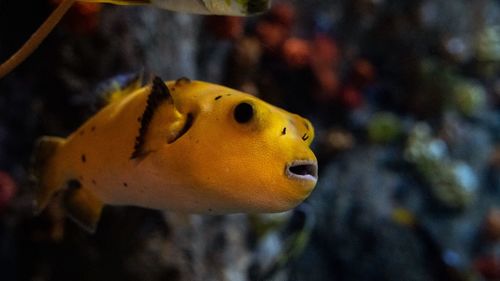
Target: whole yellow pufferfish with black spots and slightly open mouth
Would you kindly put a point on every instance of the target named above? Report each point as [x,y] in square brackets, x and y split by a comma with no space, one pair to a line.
[186,146]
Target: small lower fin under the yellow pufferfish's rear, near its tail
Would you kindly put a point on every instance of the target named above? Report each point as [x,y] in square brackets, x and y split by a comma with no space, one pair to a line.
[82,206]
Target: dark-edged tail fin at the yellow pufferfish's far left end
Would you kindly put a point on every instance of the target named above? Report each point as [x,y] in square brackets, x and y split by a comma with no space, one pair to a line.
[44,171]
